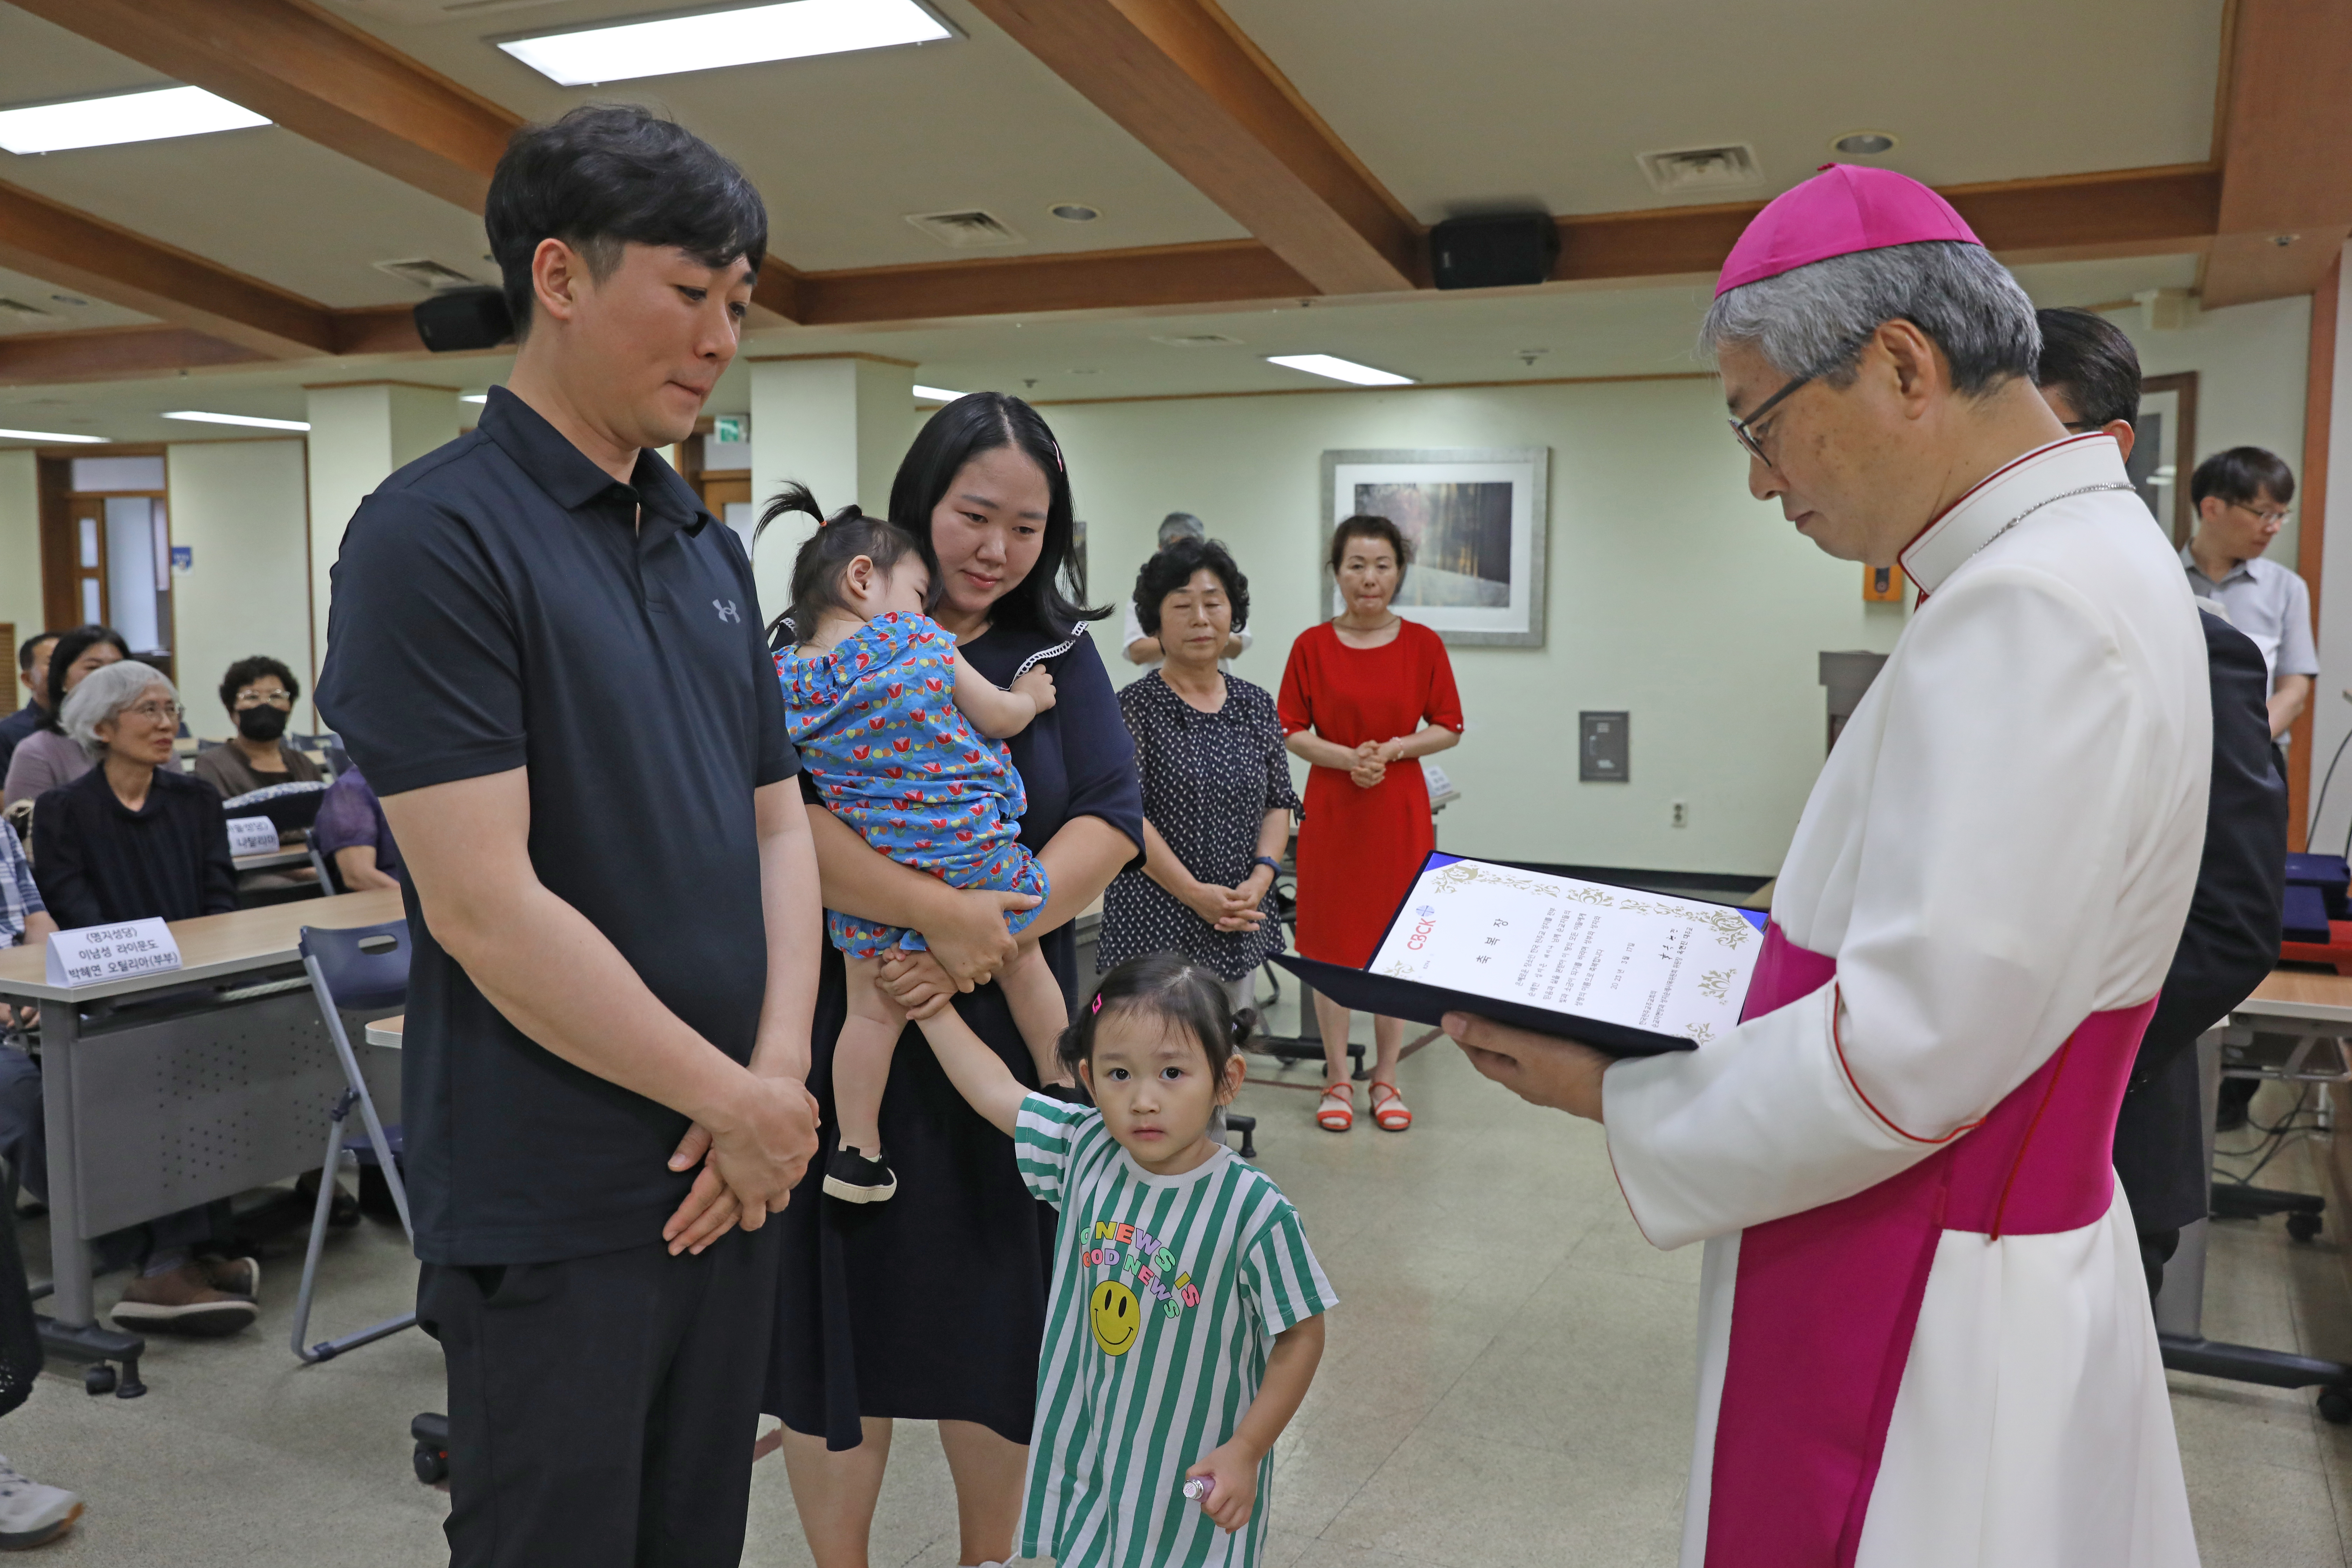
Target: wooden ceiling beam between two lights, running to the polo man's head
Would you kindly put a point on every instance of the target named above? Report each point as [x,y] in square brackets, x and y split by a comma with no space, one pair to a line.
[312,74]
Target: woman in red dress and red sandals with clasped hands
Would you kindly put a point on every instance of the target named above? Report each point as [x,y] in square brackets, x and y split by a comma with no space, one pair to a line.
[1363,699]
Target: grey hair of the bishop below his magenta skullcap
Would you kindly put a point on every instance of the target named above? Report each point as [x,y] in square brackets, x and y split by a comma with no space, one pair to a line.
[1815,321]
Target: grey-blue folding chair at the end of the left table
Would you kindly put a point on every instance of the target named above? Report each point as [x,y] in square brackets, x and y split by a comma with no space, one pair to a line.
[361,970]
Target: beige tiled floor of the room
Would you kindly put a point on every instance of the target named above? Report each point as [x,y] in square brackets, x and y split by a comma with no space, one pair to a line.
[1509,1381]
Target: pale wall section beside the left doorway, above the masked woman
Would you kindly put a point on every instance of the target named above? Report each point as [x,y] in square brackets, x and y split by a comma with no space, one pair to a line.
[243,511]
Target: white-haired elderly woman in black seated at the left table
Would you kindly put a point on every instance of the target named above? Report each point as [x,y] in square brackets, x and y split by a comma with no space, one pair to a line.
[135,840]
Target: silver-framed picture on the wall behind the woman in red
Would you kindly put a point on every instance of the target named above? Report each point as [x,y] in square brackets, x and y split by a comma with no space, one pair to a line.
[1476,518]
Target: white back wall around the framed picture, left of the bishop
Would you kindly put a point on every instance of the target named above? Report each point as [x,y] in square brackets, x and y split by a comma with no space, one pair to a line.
[1671,596]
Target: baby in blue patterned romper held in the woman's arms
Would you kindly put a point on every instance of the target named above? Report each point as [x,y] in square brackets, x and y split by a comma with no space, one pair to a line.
[907,744]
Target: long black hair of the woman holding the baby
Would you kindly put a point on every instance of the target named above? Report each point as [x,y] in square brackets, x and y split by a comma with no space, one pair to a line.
[1050,601]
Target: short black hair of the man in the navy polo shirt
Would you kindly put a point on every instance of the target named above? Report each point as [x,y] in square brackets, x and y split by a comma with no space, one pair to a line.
[610,175]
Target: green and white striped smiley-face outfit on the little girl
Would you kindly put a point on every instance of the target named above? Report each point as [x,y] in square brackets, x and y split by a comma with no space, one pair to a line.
[1168,1296]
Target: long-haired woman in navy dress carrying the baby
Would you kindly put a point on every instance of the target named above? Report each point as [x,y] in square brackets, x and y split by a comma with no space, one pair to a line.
[933,1306]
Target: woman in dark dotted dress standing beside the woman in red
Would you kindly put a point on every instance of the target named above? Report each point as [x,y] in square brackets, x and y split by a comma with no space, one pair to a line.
[1217,784]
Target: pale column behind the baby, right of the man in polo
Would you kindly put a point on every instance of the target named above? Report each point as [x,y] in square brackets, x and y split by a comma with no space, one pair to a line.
[834,422]
